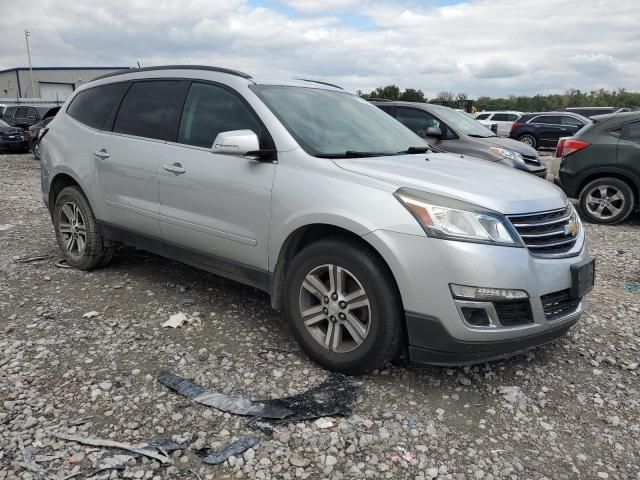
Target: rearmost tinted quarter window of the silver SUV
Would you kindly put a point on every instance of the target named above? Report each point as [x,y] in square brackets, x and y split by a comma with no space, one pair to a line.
[92,107]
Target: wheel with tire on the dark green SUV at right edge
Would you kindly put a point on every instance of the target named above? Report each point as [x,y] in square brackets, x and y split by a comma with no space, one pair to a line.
[617,205]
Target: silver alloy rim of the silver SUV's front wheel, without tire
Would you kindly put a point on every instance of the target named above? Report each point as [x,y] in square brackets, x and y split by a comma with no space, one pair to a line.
[335,308]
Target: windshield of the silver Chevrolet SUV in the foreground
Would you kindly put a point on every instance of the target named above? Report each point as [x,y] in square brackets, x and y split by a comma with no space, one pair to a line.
[335,124]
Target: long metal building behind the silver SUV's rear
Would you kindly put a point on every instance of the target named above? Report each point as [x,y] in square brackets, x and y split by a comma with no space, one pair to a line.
[51,84]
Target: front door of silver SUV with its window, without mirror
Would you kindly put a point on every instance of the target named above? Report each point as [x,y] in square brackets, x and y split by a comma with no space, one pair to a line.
[217,206]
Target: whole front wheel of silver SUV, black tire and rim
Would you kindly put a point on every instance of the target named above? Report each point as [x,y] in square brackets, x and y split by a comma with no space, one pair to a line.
[378,324]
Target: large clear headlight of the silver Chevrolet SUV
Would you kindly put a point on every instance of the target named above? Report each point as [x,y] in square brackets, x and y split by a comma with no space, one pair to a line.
[443,217]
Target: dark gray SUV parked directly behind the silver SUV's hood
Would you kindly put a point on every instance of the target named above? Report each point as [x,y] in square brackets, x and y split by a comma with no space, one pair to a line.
[455,132]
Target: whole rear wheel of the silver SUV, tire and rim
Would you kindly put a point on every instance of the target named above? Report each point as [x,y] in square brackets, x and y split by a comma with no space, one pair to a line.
[73,217]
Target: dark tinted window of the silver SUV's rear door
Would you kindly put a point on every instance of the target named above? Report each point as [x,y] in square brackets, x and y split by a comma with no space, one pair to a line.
[149,108]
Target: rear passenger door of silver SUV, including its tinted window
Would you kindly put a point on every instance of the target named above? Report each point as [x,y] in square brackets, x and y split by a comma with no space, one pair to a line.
[125,173]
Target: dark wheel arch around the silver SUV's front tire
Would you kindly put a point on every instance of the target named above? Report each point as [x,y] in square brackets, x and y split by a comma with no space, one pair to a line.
[306,235]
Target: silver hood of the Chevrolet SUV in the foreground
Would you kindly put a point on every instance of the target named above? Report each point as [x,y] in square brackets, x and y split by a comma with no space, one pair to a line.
[481,182]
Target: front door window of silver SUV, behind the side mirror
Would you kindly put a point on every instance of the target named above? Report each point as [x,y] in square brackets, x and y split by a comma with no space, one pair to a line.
[209,110]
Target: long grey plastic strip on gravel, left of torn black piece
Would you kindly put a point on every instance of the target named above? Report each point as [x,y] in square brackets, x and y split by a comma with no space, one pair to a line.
[226,403]
